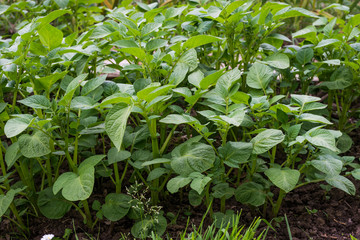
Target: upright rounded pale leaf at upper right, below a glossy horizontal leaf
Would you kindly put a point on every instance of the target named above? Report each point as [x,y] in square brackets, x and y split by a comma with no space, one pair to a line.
[259,76]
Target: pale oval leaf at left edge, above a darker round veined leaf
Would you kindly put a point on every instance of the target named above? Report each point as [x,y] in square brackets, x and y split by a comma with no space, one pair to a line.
[15,126]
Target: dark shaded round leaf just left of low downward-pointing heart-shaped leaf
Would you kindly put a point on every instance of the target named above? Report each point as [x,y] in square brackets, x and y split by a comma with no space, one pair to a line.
[250,193]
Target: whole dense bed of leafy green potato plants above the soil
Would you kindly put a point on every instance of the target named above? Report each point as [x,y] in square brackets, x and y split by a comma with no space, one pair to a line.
[208,99]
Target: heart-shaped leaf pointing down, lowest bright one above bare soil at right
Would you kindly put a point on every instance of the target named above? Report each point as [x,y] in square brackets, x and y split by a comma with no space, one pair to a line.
[285,179]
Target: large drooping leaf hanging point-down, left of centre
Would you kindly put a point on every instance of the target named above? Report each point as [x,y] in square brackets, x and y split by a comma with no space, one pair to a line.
[115,123]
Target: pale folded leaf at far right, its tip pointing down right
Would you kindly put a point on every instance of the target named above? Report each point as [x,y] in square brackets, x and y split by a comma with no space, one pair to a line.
[321,138]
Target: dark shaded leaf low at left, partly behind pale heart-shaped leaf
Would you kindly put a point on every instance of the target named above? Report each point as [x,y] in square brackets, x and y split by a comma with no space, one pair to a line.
[52,206]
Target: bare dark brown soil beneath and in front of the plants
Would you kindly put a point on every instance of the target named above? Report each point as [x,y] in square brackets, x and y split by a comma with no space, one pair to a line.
[312,213]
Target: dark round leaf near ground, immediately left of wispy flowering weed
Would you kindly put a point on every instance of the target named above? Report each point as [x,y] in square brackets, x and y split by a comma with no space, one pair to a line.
[116,206]
